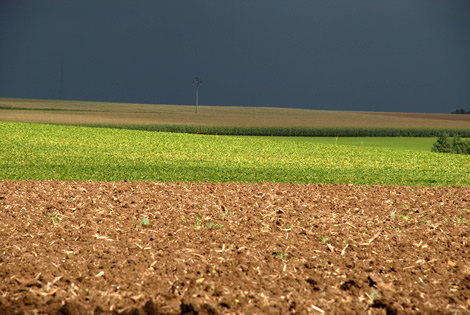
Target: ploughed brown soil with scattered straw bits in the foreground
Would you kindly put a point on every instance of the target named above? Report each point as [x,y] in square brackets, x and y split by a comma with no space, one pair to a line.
[85,248]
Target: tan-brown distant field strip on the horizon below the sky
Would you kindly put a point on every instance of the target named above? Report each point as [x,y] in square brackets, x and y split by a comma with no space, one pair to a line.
[78,112]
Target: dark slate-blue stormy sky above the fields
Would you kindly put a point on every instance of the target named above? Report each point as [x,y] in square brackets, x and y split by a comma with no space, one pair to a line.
[379,55]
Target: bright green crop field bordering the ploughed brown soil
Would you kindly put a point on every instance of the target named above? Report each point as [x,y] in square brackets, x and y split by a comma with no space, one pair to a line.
[35,151]
